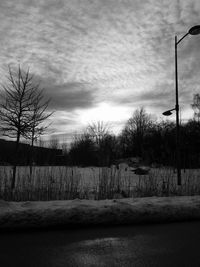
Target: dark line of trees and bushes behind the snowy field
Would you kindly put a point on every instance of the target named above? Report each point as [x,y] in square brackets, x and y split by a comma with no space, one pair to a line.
[142,136]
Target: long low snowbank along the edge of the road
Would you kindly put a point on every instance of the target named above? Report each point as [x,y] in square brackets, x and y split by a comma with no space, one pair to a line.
[23,215]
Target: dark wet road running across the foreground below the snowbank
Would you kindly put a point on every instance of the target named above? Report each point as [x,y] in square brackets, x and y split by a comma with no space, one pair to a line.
[175,244]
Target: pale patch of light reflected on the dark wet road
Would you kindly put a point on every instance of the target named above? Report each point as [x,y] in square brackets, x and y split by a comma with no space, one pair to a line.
[106,251]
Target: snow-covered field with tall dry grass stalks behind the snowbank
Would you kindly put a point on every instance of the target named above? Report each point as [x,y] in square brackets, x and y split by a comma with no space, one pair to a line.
[54,183]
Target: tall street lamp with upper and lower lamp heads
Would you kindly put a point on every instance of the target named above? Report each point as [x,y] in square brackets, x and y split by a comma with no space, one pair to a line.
[193,31]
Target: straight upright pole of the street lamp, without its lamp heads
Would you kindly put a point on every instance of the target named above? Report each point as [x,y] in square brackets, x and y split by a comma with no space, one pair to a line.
[177,118]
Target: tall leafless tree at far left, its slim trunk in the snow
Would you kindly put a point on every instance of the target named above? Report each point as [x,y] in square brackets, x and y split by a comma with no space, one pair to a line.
[15,106]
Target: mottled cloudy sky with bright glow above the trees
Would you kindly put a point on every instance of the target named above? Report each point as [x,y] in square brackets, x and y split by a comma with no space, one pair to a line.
[100,60]
